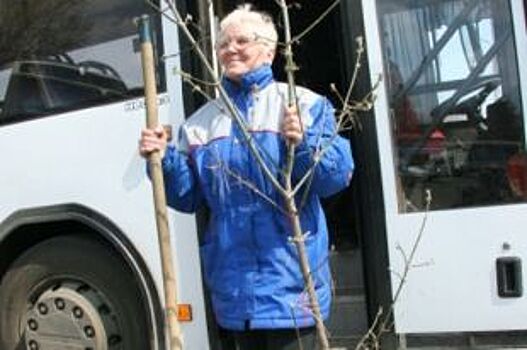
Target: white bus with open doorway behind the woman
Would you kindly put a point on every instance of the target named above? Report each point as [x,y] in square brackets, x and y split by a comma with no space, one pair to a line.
[79,260]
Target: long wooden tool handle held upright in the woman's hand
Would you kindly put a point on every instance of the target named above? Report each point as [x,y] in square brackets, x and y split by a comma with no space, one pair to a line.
[154,162]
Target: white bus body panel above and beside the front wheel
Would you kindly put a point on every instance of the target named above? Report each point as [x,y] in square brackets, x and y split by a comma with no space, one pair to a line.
[90,157]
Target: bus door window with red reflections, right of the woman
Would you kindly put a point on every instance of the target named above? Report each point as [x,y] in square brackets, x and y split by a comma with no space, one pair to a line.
[456,111]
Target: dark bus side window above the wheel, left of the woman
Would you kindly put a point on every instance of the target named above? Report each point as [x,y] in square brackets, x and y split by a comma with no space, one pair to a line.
[63,55]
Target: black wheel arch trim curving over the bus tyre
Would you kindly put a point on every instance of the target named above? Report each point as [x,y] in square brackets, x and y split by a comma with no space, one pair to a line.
[27,227]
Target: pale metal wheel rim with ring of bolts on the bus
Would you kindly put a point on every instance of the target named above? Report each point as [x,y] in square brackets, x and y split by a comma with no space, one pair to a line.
[71,315]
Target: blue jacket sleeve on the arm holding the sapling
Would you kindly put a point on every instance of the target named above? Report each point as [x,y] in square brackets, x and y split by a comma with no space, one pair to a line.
[333,171]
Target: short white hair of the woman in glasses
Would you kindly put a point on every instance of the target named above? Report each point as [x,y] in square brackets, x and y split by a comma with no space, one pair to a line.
[261,22]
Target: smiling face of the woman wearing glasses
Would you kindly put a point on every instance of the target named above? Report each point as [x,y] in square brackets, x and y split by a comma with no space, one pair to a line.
[239,52]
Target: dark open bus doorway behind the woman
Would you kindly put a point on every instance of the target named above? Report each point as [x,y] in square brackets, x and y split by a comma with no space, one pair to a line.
[320,56]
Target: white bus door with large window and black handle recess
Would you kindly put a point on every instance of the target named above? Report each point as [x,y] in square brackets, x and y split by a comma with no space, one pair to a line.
[451,127]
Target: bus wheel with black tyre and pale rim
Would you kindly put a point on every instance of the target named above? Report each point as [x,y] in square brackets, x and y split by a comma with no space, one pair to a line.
[71,292]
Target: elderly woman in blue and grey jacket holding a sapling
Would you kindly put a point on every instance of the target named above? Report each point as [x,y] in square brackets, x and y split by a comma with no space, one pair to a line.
[250,265]
